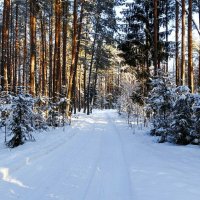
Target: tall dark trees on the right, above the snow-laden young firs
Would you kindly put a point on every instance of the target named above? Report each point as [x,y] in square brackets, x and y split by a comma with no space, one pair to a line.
[147,45]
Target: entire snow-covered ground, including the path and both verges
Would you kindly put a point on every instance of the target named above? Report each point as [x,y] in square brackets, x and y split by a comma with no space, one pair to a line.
[99,158]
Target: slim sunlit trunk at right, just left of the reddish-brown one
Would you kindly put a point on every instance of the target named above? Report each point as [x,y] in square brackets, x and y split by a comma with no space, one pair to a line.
[183,45]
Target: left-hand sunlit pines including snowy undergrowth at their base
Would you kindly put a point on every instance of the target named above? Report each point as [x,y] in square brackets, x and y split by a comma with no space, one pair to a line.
[58,52]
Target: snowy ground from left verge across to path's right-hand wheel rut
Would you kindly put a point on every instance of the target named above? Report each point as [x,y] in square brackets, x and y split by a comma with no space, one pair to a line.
[89,164]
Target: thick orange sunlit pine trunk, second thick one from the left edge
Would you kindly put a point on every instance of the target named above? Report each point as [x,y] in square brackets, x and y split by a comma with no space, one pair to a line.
[32,46]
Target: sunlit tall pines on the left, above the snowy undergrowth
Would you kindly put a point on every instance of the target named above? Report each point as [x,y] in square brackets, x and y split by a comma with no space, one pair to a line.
[48,46]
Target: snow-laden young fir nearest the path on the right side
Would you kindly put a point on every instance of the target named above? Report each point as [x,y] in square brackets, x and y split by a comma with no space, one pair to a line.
[160,102]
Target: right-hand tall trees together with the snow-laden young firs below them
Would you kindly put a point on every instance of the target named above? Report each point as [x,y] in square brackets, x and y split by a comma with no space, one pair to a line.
[166,70]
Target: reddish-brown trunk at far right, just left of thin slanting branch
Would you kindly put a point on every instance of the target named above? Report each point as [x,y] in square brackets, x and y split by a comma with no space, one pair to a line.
[190,64]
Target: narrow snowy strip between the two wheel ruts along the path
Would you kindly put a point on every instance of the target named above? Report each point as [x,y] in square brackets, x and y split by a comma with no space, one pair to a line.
[110,177]
